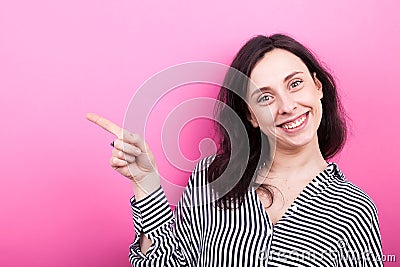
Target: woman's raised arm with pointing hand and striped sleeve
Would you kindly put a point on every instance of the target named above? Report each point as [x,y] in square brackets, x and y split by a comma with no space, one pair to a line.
[156,242]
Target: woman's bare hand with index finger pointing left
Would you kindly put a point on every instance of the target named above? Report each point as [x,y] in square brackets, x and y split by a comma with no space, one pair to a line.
[131,156]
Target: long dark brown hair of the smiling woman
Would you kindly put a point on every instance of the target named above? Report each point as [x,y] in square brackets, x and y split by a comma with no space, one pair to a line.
[234,146]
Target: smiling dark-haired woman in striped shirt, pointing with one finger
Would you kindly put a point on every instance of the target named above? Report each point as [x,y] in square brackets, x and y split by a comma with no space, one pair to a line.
[290,206]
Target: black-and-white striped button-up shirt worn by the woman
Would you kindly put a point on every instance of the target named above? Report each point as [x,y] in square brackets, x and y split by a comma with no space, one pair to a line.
[331,223]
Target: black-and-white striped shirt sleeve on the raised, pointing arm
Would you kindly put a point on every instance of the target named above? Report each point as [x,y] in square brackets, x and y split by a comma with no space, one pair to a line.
[171,233]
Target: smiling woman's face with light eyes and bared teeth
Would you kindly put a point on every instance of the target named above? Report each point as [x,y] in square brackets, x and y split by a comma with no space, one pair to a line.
[286,101]
